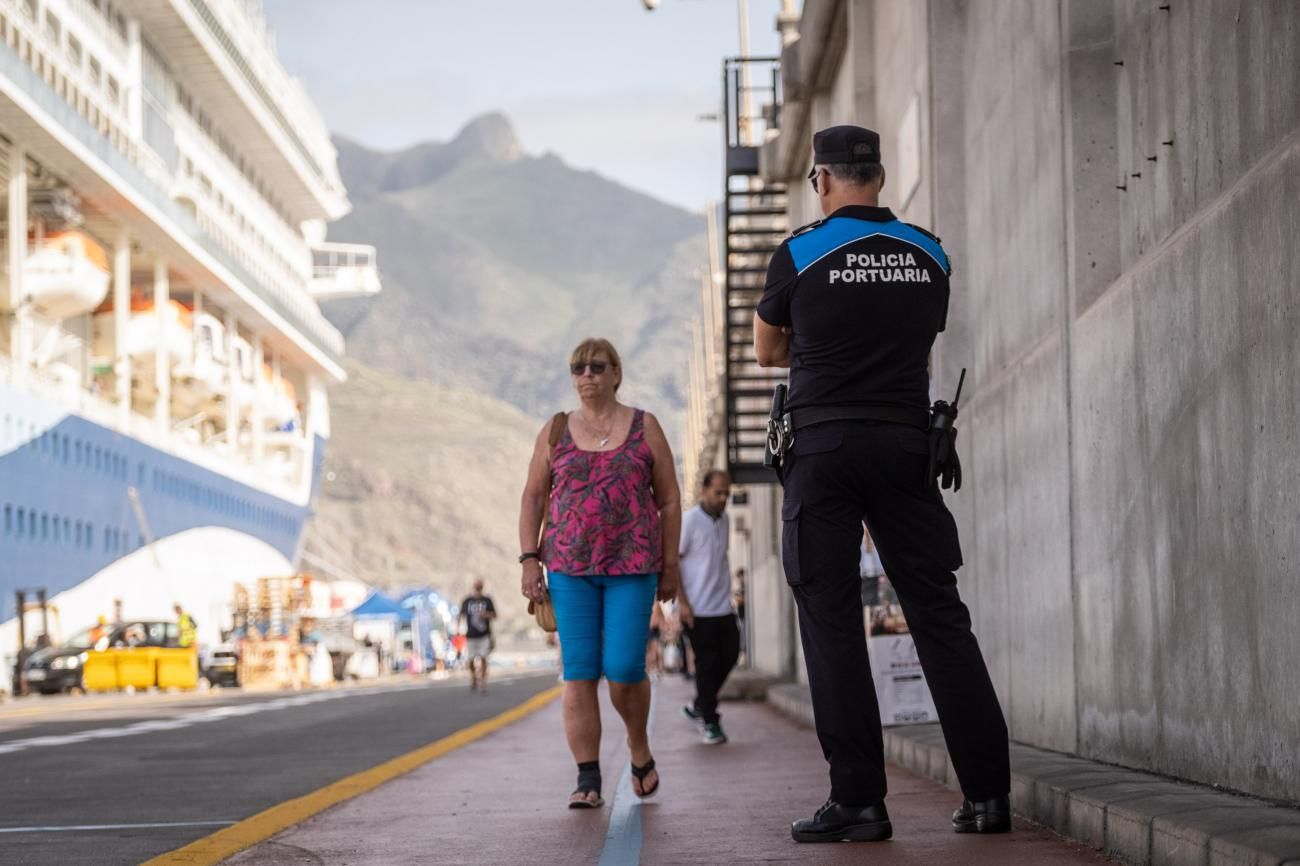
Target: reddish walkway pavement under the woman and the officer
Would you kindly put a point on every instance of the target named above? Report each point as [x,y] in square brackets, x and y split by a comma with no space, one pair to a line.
[501,800]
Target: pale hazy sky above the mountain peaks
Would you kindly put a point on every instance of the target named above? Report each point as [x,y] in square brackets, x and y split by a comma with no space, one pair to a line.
[604,84]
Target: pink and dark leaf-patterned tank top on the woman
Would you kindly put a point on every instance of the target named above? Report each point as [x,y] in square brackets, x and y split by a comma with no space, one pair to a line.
[604,519]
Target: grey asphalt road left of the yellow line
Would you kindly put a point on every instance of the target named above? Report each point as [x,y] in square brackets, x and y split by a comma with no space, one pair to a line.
[81,783]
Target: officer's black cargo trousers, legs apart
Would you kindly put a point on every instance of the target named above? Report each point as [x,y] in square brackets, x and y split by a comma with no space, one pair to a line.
[839,477]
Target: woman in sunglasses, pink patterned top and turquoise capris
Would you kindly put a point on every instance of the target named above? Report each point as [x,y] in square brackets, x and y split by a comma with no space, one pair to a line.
[605,480]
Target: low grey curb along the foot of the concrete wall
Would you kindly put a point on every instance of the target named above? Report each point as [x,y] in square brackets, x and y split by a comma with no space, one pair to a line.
[1136,817]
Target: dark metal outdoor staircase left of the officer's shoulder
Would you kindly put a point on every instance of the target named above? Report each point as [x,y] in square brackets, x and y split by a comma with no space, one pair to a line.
[756,222]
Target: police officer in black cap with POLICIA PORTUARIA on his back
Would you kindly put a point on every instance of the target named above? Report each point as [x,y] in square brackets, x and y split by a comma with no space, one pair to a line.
[852,306]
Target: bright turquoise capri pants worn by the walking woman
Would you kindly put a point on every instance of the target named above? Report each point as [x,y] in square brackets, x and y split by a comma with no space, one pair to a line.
[604,623]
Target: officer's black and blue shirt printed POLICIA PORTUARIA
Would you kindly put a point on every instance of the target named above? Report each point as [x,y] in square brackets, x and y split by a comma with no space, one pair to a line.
[865,296]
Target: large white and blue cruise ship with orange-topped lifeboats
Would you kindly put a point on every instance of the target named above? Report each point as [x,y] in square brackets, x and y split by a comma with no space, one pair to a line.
[163,356]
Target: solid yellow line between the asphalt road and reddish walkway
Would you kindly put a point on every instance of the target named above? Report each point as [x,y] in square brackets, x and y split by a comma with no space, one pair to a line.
[250,832]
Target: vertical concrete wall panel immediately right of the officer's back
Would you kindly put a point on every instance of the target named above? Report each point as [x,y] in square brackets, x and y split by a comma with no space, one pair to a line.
[999,159]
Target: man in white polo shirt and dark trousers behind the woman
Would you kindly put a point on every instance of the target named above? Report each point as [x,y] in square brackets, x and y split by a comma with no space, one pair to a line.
[705,599]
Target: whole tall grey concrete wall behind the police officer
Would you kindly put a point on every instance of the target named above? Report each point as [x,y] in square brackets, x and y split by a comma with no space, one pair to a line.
[1130,426]
